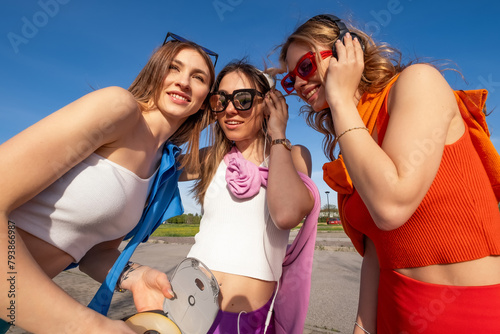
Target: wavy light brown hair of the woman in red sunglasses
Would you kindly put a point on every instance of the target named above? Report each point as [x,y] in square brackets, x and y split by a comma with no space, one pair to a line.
[382,63]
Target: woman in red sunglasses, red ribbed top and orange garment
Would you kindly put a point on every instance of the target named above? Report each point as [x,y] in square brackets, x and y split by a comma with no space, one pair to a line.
[414,195]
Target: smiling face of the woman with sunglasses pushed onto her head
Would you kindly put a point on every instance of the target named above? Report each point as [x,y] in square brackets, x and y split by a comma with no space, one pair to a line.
[185,86]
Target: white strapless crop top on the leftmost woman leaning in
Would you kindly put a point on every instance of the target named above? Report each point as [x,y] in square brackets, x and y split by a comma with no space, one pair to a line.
[96,201]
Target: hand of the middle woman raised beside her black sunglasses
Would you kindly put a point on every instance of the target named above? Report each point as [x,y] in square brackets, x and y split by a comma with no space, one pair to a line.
[277,111]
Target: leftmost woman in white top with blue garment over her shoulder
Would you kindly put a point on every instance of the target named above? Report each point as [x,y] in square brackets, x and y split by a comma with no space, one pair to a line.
[76,183]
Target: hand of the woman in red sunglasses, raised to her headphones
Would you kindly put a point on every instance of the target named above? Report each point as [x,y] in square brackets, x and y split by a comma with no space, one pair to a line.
[344,74]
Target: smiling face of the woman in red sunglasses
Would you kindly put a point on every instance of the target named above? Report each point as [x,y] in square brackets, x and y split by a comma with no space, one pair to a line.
[311,90]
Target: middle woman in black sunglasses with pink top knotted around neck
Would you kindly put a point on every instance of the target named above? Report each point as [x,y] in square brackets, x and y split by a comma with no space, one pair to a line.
[254,187]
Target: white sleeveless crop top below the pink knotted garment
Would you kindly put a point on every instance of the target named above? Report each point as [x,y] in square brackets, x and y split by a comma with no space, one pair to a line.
[238,236]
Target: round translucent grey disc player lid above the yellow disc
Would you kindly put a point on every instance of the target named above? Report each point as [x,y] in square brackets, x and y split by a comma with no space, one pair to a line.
[196,302]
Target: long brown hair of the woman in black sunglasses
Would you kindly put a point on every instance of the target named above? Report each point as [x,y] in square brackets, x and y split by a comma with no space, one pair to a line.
[219,145]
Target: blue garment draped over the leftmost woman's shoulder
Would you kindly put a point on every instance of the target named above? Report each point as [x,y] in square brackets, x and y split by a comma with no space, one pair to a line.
[164,202]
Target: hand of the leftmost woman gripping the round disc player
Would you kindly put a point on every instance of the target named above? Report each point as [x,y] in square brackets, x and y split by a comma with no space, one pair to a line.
[149,287]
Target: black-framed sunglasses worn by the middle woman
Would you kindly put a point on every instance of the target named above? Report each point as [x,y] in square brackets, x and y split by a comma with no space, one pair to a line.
[242,99]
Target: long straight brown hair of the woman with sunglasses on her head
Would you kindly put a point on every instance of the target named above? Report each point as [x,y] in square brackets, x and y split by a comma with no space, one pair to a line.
[147,86]
